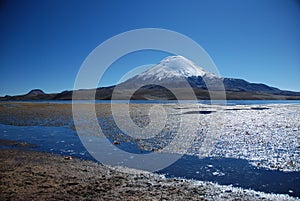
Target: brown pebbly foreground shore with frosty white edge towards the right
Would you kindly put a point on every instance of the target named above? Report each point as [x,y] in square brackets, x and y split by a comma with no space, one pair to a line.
[28,175]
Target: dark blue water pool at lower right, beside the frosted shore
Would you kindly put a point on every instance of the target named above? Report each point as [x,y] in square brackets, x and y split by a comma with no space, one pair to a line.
[236,172]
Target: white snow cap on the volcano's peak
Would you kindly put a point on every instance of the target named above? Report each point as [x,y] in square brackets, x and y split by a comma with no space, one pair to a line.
[174,66]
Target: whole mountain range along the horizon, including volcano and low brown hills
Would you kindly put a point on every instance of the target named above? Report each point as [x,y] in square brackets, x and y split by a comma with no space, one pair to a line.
[175,73]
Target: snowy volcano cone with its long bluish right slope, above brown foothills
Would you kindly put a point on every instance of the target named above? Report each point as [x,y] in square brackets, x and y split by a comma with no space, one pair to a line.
[174,71]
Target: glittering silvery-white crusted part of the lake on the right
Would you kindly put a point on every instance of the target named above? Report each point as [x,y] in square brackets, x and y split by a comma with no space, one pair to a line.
[268,136]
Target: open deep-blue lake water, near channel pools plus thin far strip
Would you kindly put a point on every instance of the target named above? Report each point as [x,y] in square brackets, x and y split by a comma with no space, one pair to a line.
[227,171]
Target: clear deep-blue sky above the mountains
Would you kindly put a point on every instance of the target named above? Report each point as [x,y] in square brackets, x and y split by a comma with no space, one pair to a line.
[43,43]
